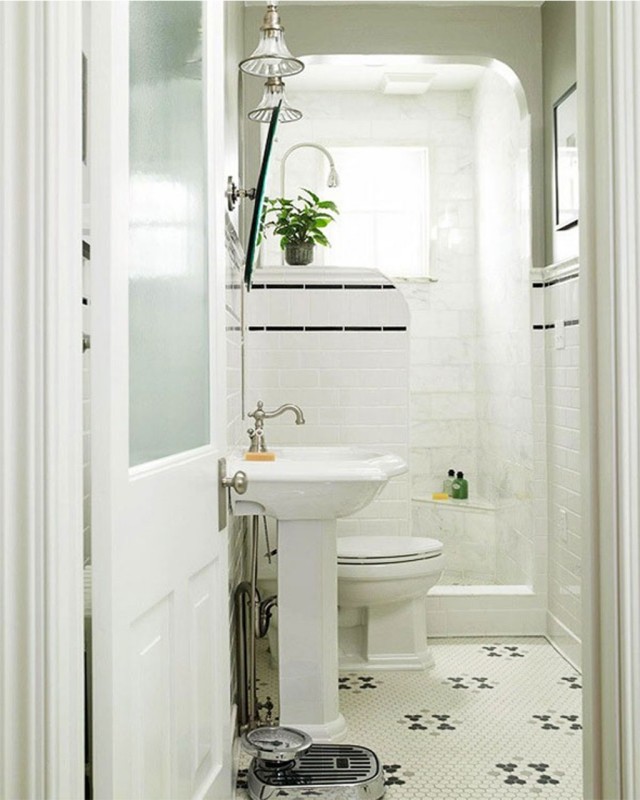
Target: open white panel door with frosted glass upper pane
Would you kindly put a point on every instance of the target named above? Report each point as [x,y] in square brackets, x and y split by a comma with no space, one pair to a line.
[160,611]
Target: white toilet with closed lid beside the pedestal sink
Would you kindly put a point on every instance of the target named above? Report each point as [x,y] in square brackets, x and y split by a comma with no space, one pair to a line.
[382,584]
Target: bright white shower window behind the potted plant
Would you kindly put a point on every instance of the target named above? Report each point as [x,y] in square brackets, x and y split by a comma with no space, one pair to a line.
[383,199]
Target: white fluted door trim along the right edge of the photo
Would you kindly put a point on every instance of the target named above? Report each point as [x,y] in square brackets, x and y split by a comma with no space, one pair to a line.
[609,127]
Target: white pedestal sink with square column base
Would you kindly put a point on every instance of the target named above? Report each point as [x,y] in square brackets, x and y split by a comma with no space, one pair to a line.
[307,489]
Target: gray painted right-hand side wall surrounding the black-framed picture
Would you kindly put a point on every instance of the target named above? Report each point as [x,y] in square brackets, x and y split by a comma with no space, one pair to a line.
[559,73]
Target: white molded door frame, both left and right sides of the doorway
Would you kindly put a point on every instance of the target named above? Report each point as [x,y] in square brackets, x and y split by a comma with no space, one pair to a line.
[41,706]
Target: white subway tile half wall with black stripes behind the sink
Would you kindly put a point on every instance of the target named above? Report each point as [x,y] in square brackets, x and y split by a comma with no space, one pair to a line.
[350,378]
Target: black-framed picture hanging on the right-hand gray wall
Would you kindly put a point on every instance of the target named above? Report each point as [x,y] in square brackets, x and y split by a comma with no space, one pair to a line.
[565,140]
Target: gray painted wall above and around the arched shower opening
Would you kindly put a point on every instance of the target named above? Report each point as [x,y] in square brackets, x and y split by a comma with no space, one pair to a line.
[510,34]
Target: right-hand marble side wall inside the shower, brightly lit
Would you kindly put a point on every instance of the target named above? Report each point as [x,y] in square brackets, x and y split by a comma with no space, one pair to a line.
[503,368]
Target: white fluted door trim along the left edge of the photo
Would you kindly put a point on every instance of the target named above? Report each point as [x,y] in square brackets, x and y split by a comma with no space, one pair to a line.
[41,650]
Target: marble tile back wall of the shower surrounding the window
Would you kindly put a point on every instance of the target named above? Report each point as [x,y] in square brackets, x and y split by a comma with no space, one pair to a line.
[442,374]
